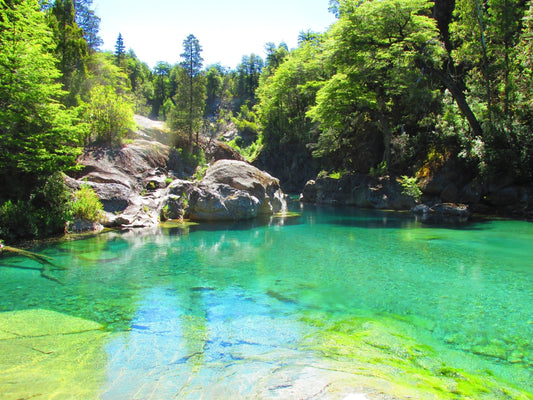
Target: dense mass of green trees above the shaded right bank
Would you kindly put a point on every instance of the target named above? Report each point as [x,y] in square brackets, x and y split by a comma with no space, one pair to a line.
[396,81]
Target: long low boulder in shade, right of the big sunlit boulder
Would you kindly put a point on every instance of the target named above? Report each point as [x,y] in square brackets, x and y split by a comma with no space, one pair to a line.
[358,190]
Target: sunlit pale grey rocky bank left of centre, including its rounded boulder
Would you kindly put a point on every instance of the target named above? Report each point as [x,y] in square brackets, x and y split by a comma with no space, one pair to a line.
[145,182]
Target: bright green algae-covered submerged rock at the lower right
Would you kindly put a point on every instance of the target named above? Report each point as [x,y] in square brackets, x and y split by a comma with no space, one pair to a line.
[388,354]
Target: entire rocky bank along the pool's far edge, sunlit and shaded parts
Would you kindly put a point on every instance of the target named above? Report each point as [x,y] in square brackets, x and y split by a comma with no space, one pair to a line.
[147,181]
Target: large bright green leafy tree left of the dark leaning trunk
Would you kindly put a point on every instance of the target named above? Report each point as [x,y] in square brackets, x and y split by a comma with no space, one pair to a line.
[376,49]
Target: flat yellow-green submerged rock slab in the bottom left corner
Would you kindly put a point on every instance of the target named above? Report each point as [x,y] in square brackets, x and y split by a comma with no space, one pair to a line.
[45,354]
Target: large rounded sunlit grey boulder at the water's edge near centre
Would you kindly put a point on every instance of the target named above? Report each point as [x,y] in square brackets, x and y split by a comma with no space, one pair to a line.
[234,190]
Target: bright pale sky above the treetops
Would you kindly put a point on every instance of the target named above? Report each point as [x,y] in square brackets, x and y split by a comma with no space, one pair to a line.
[226,29]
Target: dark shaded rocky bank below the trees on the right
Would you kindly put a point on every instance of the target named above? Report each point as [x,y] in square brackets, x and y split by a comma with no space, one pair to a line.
[440,197]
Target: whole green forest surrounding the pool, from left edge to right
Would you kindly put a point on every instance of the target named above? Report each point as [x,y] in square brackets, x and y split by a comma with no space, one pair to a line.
[394,87]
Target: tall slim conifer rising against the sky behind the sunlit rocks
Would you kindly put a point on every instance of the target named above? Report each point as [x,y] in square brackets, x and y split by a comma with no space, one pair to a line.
[190,100]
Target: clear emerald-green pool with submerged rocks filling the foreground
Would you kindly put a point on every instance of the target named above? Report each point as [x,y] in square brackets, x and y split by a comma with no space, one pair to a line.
[328,304]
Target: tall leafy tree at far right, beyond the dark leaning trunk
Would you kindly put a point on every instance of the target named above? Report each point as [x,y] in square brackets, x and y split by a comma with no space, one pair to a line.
[486,37]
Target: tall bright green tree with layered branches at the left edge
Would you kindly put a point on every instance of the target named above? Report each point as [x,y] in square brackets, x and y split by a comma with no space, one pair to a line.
[38,136]
